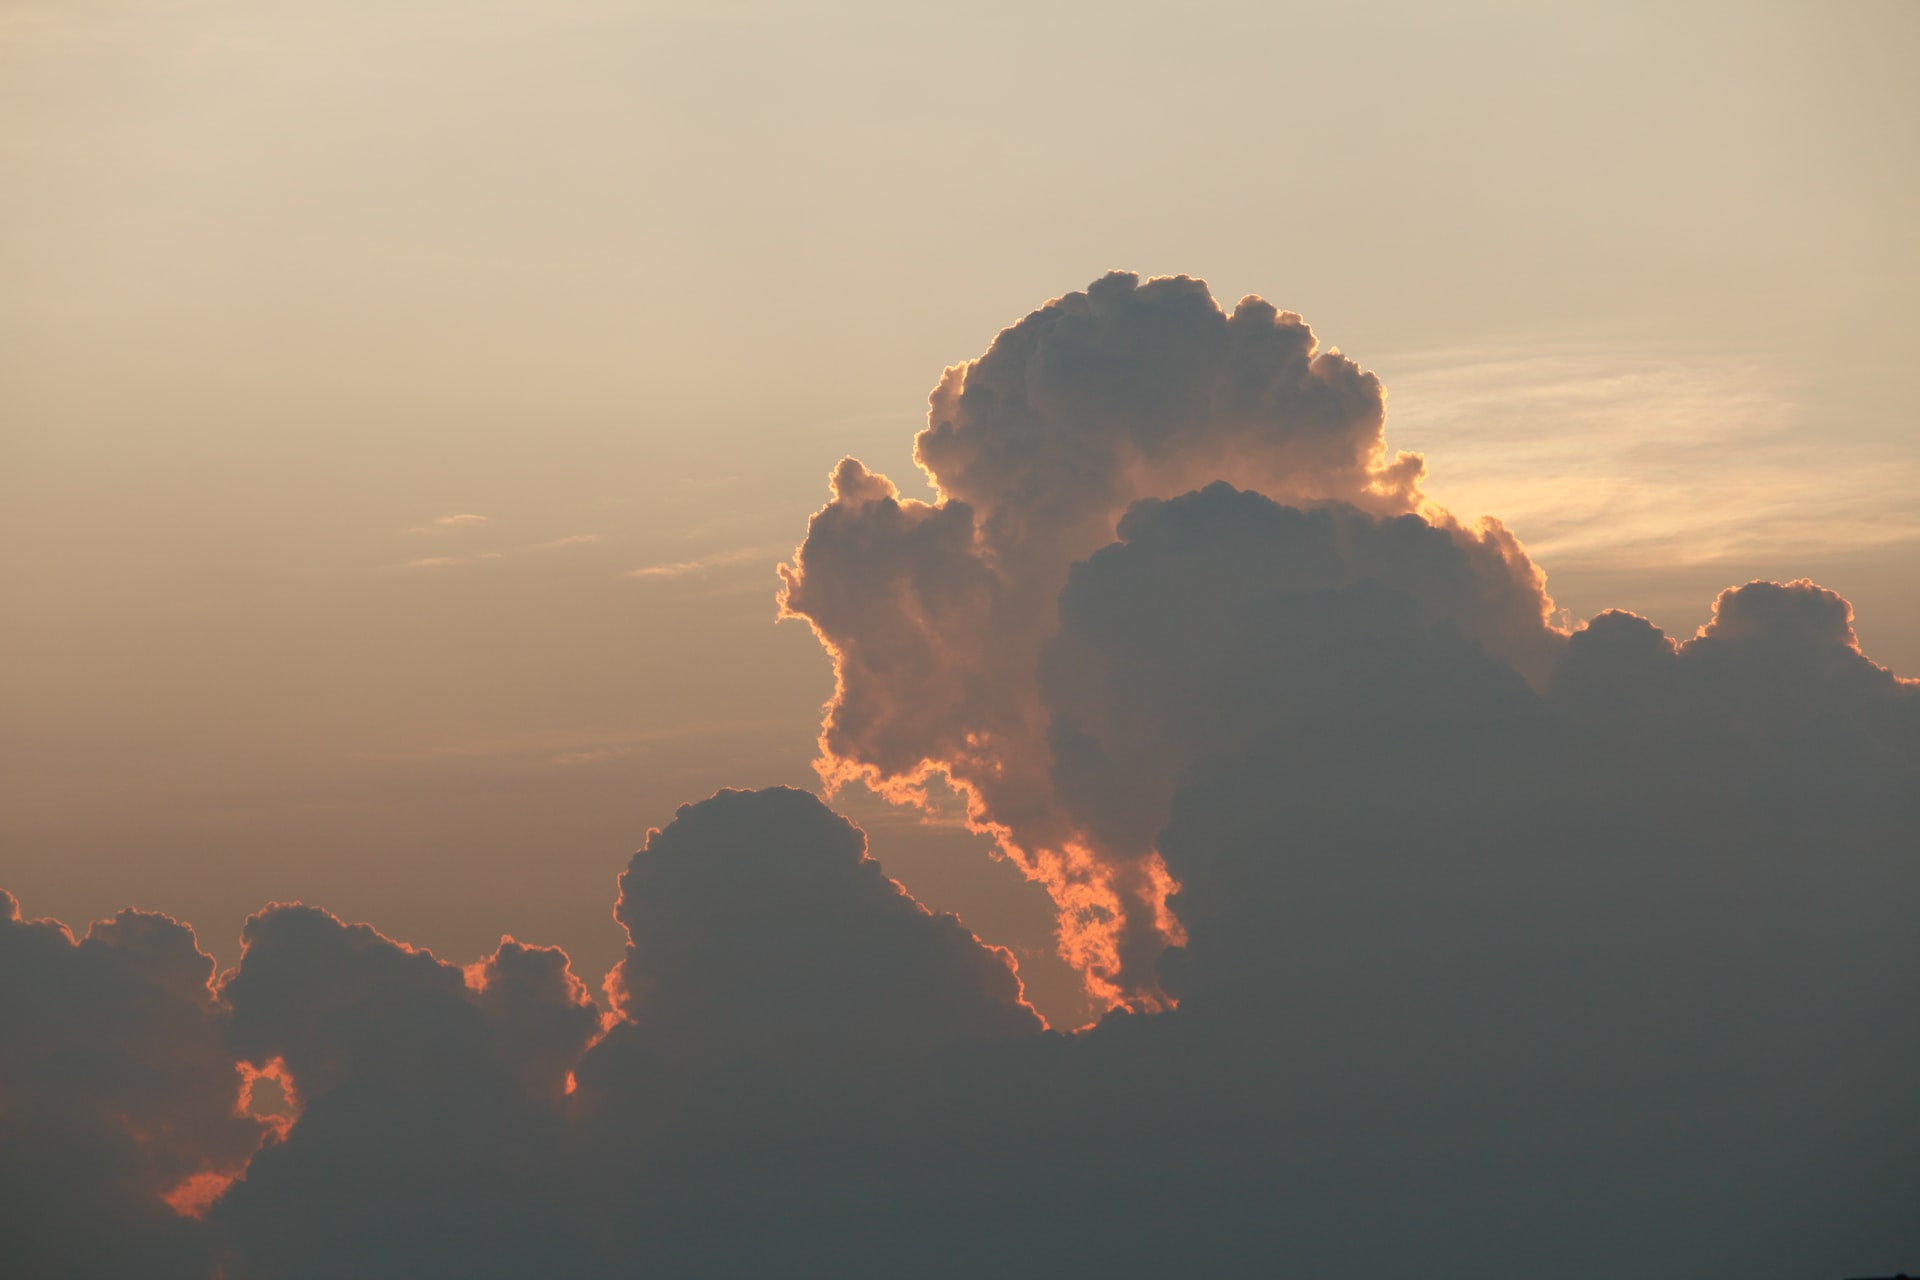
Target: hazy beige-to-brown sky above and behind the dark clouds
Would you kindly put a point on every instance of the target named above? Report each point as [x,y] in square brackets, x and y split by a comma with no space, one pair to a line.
[404,406]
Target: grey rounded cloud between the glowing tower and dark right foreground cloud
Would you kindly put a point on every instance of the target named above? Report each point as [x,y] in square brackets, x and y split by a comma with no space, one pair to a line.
[1136,678]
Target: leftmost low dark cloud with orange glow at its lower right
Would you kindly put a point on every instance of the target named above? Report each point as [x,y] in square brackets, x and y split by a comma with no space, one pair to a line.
[118,1099]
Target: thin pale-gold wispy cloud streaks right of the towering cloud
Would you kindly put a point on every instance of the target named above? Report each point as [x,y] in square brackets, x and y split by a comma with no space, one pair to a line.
[1620,456]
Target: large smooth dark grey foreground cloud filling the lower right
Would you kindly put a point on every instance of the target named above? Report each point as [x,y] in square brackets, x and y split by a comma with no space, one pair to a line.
[1629,939]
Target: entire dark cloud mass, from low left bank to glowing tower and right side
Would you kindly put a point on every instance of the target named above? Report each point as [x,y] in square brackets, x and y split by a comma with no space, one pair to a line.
[1439,939]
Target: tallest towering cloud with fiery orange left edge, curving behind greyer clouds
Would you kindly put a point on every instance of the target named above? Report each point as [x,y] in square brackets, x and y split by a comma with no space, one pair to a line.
[938,615]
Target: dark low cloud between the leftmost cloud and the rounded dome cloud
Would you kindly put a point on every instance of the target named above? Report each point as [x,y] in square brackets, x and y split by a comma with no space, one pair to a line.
[429,1126]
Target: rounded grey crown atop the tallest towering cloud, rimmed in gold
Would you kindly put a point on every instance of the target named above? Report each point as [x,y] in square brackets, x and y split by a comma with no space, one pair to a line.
[1145,391]
